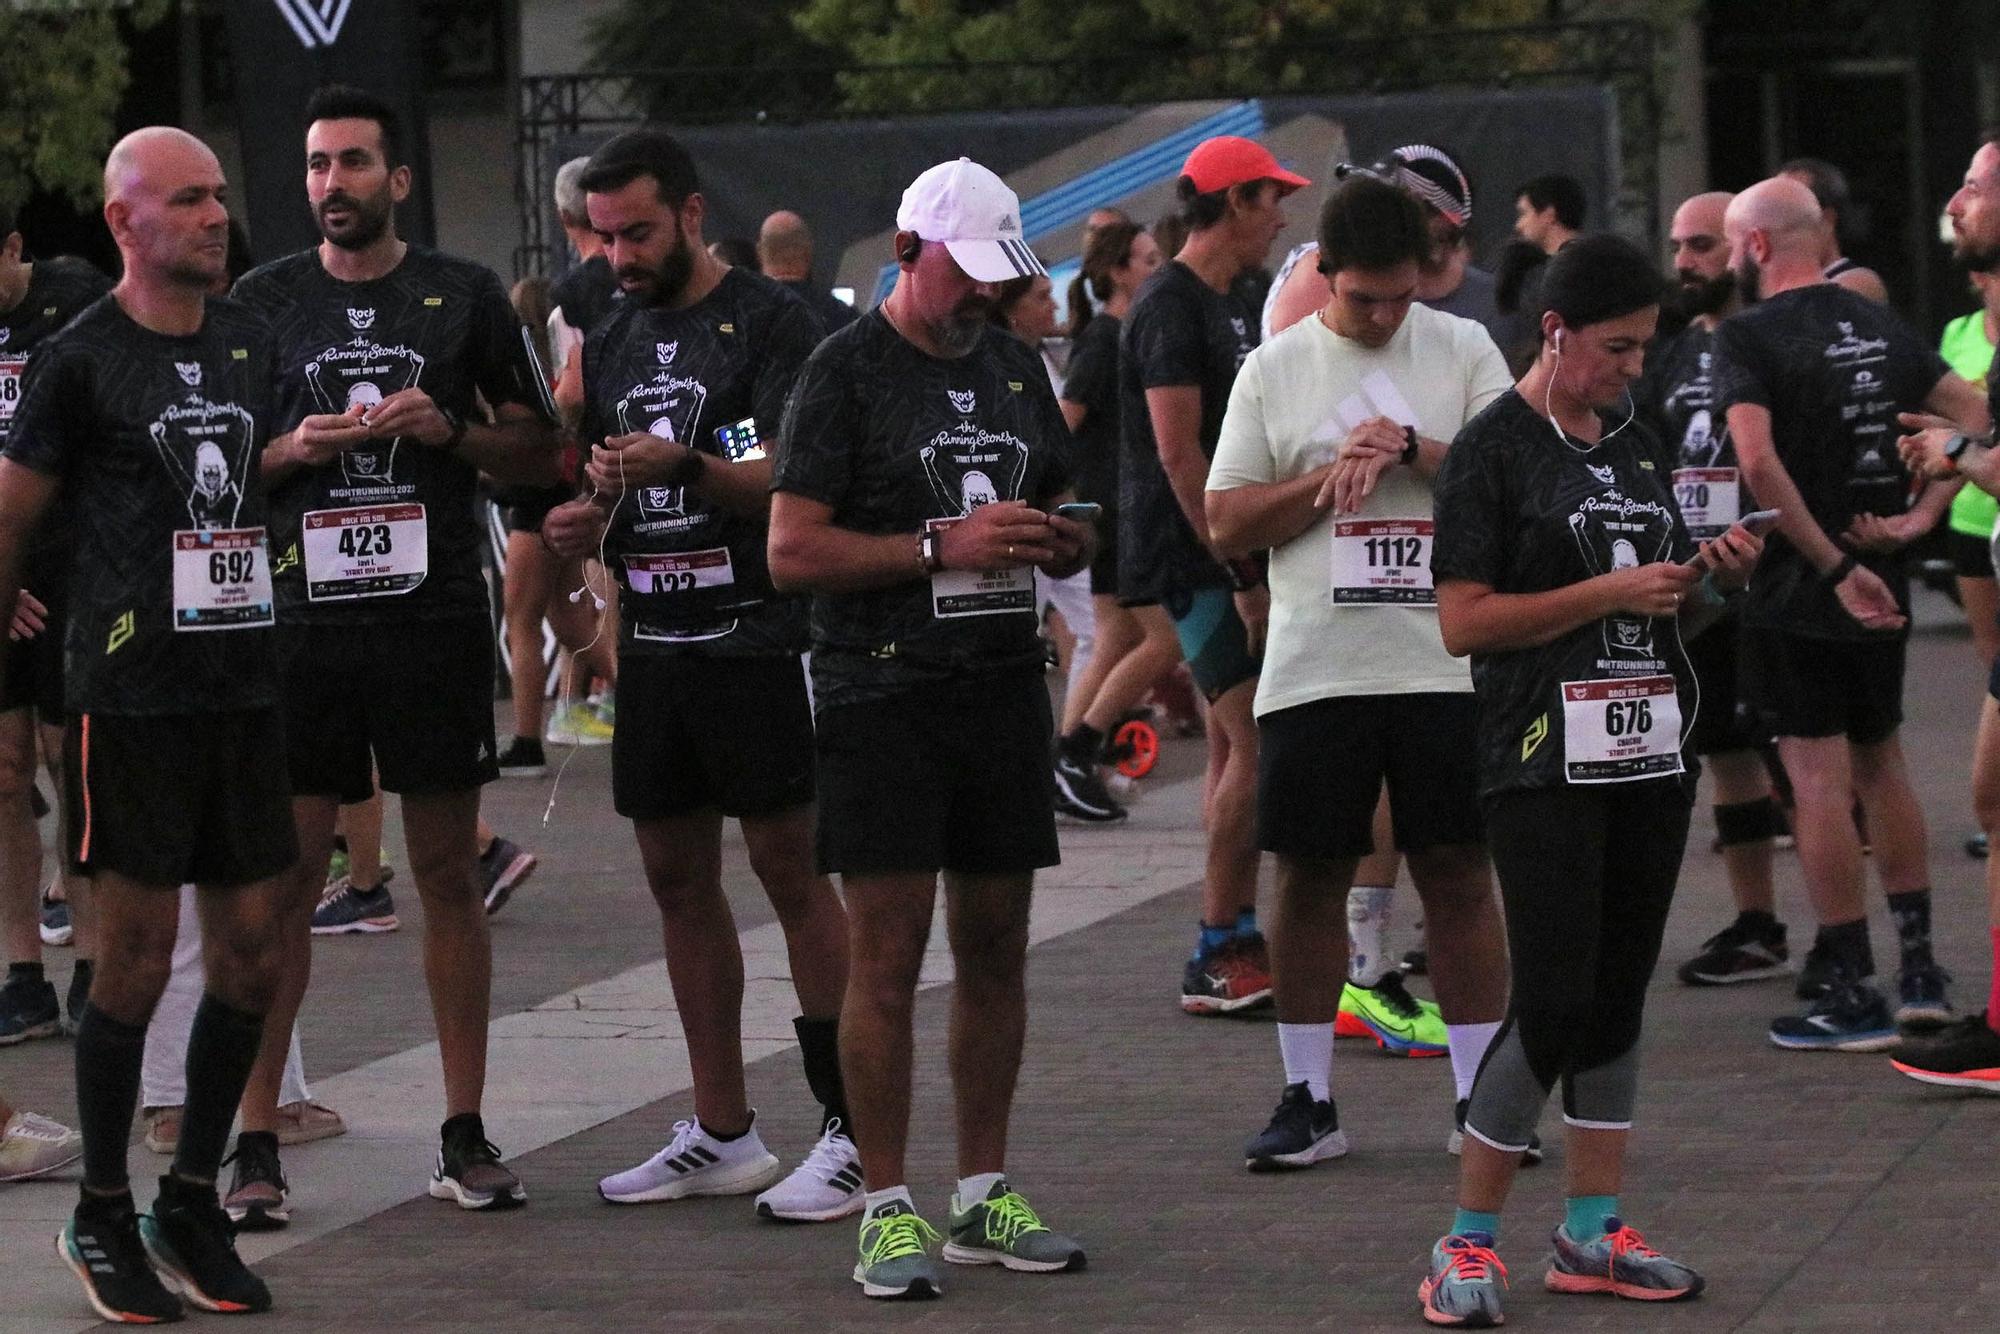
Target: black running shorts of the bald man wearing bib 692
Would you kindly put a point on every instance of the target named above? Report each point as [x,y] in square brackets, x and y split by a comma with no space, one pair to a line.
[181,799]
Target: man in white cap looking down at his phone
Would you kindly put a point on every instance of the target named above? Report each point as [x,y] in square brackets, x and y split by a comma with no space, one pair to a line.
[919,471]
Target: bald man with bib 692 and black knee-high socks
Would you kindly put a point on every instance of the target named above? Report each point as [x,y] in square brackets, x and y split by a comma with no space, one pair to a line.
[149,415]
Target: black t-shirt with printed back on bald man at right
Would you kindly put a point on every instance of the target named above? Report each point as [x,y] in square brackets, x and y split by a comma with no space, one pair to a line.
[1833,369]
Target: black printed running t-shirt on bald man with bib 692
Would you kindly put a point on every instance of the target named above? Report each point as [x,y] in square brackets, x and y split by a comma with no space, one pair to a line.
[157,443]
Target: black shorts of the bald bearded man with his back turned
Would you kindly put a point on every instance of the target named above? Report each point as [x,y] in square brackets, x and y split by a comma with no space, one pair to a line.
[1805,687]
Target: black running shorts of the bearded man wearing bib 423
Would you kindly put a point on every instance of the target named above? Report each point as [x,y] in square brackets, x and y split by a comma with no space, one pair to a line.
[415,699]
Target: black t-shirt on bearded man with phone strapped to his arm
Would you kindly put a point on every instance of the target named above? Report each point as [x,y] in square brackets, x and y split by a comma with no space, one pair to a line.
[695,575]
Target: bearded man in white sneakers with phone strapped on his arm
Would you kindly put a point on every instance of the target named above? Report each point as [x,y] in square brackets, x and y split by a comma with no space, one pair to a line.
[685,387]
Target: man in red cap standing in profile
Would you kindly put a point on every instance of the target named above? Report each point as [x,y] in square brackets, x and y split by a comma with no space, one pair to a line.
[1177,363]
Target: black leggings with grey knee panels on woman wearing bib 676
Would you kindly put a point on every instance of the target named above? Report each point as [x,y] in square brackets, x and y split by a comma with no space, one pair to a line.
[1587,877]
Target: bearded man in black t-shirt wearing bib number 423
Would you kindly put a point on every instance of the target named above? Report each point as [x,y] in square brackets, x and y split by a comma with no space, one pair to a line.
[389,359]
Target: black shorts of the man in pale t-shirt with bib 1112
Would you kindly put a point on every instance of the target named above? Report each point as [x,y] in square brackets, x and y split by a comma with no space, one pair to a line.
[1323,765]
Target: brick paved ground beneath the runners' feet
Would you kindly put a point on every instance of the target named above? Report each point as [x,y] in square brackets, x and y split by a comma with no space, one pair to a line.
[1813,1191]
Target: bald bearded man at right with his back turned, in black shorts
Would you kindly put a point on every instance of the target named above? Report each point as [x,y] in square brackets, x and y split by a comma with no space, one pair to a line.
[1811,381]
